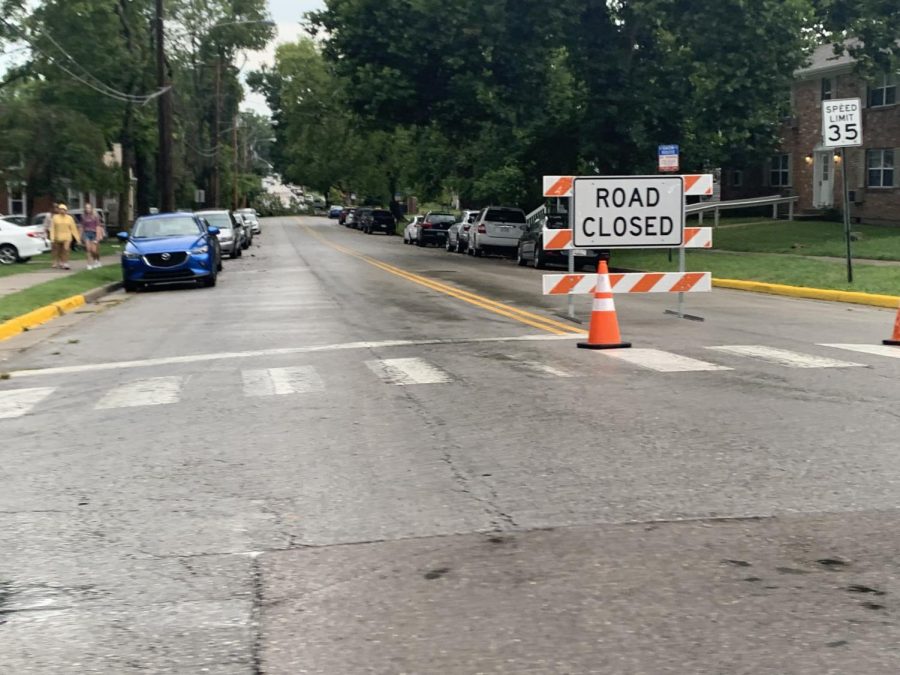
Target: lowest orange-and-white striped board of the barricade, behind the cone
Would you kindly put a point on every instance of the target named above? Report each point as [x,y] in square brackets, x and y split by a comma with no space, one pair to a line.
[641,282]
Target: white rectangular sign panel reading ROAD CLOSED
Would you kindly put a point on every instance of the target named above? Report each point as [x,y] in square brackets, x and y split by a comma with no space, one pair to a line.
[629,212]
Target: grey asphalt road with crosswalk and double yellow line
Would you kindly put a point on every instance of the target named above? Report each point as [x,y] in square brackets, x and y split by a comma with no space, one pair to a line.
[354,456]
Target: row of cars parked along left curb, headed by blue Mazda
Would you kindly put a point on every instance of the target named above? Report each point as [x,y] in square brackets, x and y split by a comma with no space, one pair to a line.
[184,246]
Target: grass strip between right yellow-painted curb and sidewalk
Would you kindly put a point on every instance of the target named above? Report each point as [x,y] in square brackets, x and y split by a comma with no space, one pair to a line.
[793,270]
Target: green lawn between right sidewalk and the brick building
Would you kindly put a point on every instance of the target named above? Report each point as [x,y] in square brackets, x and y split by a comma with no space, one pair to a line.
[810,238]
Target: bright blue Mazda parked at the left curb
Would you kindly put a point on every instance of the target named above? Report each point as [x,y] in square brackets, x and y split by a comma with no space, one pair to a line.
[170,247]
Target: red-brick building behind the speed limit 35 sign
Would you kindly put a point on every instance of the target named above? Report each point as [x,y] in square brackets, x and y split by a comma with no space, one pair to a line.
[805,168]
